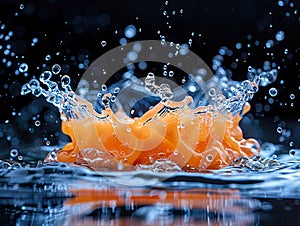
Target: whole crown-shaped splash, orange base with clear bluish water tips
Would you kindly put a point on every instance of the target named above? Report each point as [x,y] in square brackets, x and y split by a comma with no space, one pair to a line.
[163,132]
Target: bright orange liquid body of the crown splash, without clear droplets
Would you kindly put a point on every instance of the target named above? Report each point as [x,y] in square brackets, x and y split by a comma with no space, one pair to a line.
[188,138]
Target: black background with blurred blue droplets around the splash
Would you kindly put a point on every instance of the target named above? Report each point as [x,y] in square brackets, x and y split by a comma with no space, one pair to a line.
[76,28]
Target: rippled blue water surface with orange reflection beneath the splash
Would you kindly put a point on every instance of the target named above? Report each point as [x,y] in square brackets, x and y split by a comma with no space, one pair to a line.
[61,194]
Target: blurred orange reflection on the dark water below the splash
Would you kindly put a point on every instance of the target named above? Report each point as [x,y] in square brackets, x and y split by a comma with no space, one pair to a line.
[123,206]
